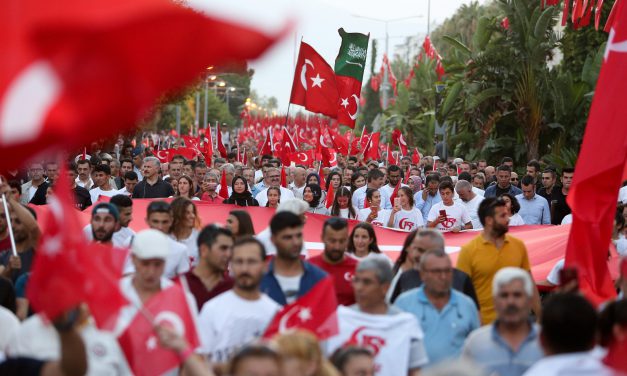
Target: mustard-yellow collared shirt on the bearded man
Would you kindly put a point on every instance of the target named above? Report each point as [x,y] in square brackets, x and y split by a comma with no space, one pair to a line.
[480,259]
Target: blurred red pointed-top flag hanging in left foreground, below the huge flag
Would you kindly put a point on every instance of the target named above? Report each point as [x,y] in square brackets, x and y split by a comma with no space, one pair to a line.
[75,271]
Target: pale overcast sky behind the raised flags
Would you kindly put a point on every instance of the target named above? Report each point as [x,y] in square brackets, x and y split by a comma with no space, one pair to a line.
[319,21]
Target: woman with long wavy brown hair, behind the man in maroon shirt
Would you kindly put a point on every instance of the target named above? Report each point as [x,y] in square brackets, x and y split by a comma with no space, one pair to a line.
[185,225]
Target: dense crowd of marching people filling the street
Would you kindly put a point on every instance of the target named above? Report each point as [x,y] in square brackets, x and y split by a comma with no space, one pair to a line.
[420,313]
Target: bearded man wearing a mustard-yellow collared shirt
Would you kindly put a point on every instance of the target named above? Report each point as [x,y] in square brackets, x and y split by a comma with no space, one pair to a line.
[490,251]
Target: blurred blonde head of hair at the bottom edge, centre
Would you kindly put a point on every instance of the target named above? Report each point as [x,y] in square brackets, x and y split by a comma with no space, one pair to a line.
[301,355]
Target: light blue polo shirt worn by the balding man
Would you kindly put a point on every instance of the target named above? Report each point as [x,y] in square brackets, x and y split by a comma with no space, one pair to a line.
[445,330]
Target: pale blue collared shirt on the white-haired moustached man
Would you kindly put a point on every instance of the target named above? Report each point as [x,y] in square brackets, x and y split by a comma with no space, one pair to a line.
[487,348]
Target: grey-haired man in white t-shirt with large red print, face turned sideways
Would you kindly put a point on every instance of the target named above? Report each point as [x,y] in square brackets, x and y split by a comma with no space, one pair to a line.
[393,335]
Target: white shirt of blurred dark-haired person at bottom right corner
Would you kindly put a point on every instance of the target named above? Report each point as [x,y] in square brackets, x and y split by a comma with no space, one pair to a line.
[574,364]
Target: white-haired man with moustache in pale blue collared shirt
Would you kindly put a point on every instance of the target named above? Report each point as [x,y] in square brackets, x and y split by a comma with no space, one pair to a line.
[510,345]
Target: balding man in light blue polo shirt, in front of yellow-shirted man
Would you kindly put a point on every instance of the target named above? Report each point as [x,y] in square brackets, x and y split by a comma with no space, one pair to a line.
[447,316]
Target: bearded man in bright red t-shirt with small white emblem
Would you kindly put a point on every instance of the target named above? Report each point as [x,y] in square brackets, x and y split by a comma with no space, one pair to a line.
[335,261]
